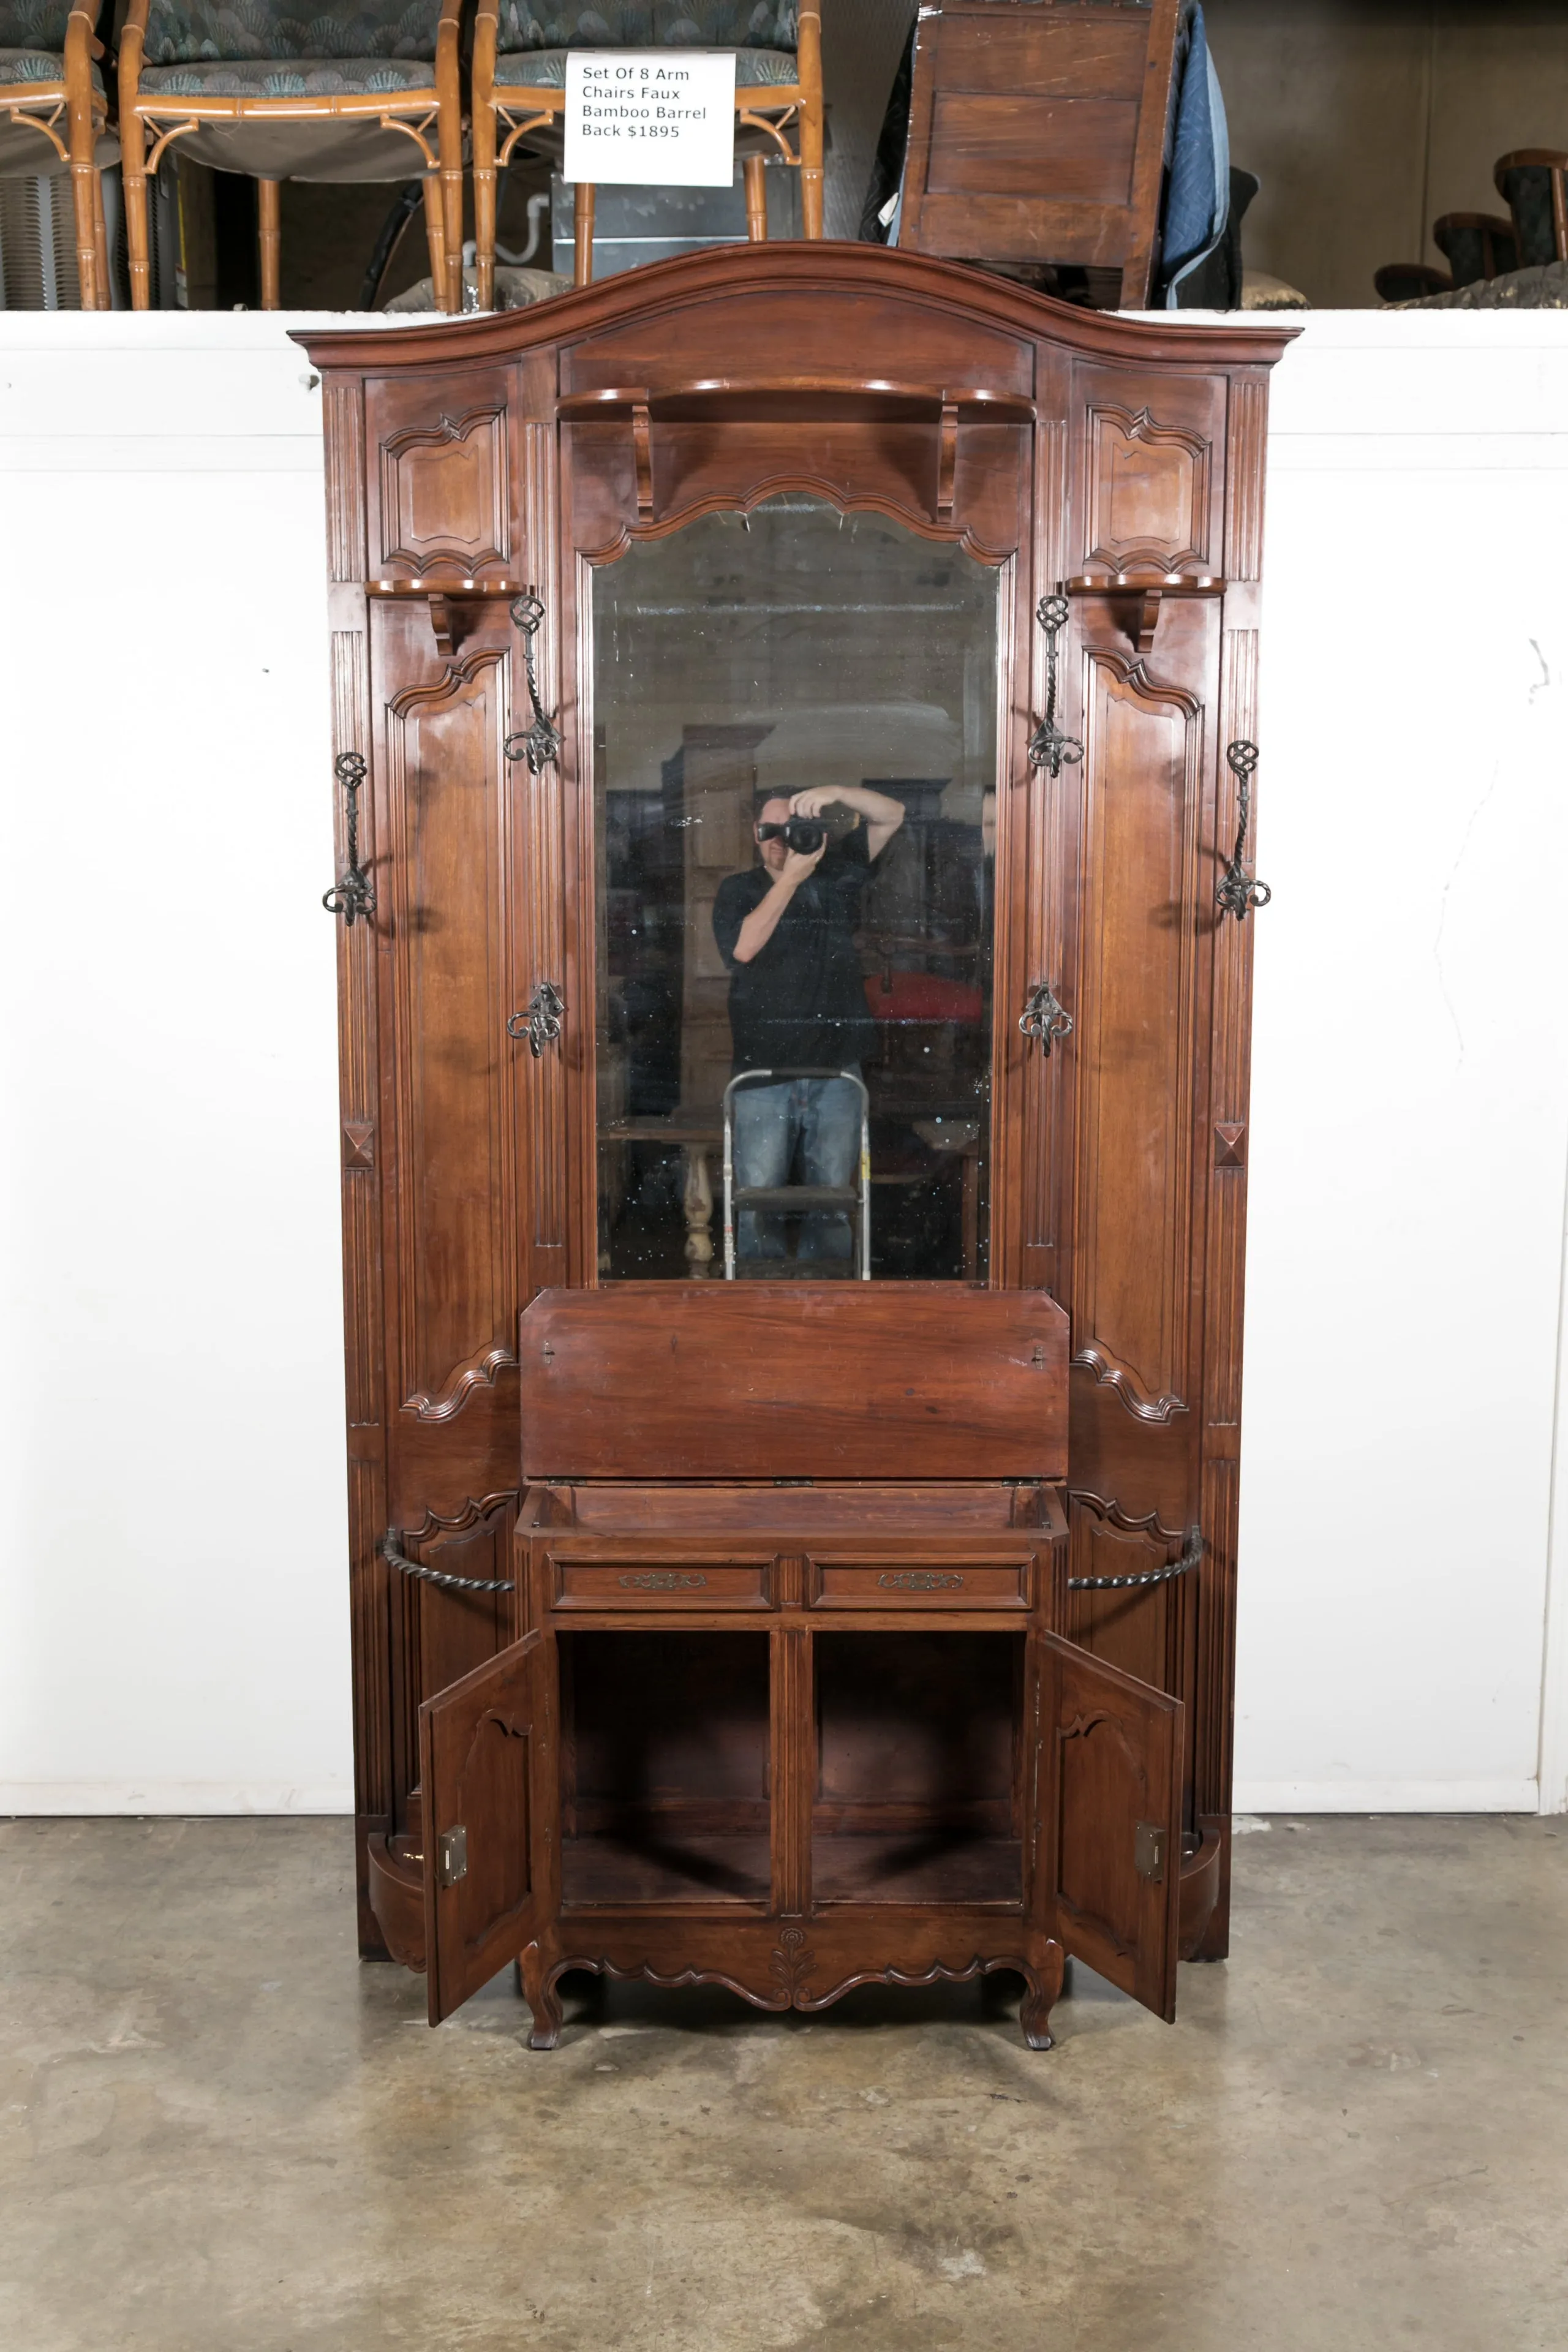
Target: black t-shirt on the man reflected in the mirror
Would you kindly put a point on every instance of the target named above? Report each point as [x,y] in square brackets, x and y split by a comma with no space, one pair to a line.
[800,1003]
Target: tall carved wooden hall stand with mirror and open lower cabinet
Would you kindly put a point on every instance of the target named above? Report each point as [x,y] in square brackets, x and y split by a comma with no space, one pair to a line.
[873,1619]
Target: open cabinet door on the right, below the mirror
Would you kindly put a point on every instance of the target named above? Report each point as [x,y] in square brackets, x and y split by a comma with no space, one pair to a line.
[1111,1819]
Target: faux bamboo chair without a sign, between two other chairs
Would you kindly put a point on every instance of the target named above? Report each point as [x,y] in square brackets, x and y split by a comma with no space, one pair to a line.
[330,93]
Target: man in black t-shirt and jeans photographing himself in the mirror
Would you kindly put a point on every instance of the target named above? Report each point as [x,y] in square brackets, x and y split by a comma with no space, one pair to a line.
[786,933]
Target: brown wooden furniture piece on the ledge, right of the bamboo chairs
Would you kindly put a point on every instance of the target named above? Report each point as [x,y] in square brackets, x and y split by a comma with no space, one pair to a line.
[1038,135]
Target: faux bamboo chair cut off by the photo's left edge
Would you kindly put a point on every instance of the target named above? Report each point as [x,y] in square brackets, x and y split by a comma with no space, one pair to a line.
[53,93]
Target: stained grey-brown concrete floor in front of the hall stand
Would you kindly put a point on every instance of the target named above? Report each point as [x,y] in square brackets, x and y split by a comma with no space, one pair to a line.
[225,2132]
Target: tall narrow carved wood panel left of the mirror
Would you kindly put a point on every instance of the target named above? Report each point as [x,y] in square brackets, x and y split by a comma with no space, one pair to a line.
[455,1067]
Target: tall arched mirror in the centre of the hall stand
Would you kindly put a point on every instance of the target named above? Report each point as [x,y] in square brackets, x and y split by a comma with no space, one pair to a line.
[796,782]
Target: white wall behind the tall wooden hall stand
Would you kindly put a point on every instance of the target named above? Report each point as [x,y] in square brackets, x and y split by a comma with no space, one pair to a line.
[173,1591]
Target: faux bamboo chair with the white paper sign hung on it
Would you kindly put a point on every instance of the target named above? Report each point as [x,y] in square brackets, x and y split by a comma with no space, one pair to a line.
[521,95]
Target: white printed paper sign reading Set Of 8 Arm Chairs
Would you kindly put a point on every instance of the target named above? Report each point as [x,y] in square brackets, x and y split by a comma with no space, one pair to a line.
[652,119]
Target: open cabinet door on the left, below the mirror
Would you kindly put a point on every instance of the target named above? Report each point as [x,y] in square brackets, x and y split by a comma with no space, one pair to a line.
[483,1758]
